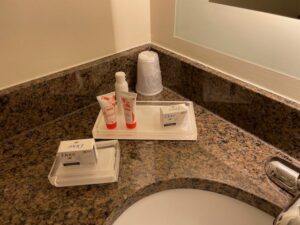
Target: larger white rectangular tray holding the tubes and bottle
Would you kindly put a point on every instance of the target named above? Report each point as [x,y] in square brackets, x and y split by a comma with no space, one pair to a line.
[148,124]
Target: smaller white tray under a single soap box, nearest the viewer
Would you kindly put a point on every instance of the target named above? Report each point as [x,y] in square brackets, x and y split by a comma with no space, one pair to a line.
[105,171]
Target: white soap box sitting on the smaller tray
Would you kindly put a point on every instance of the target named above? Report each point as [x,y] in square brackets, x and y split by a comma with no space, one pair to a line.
[77,152]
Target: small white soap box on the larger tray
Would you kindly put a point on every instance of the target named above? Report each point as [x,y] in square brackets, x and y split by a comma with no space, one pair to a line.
[172,115]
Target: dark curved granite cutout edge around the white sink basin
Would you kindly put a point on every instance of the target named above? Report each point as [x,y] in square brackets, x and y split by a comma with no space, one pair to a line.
[192,183]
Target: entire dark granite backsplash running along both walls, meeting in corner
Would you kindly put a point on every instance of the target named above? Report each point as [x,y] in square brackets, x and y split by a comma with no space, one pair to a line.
[270,117]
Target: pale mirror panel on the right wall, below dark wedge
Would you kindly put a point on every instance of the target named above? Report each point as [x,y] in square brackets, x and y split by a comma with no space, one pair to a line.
[264,39]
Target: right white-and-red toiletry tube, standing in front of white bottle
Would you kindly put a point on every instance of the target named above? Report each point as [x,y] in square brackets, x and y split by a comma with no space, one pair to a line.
[129,107]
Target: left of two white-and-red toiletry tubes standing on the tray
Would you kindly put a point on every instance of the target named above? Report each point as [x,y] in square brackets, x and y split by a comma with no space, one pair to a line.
[108,106]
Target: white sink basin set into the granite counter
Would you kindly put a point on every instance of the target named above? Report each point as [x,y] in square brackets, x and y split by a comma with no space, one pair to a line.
[192,207]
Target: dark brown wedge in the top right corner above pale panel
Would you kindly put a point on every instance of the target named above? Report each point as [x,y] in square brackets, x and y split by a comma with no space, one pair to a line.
[289,8]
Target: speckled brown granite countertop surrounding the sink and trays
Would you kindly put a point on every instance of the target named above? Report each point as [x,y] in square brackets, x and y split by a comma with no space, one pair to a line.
[224,159]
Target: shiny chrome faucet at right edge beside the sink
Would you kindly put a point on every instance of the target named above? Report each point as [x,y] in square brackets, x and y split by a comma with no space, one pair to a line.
[286,176]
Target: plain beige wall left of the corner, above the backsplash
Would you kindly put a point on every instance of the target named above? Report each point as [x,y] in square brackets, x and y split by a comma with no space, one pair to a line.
[41,37]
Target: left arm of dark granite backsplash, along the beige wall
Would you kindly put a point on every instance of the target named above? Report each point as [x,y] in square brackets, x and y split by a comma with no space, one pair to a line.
[39,101]
